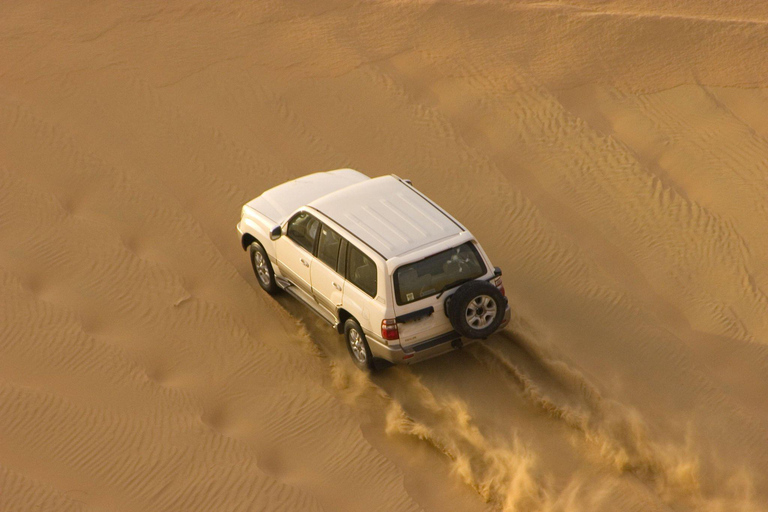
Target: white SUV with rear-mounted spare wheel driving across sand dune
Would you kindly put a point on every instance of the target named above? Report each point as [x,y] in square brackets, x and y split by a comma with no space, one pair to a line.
[395,273]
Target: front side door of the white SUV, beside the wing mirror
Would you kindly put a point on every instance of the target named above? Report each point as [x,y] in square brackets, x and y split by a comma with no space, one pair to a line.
[294,250]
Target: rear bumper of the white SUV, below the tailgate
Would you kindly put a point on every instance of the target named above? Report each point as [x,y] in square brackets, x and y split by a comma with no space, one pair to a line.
[423,350]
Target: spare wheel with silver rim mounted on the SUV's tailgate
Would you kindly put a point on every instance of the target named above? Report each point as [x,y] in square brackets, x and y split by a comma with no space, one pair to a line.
[476,309]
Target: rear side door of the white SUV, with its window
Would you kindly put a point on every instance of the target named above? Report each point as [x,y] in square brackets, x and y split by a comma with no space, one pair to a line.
[327,283]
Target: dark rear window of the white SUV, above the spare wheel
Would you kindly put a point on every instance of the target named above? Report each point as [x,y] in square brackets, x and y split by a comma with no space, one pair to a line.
[434,274]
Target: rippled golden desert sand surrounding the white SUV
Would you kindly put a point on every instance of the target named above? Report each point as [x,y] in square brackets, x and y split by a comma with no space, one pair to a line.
[612,157]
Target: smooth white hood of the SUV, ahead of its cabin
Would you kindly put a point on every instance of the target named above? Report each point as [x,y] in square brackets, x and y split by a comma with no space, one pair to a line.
[279,202]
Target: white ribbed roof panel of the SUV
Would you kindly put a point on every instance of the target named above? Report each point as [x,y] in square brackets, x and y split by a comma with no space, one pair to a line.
[388,215]
